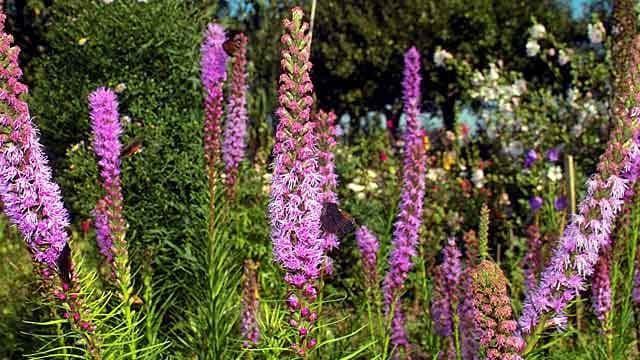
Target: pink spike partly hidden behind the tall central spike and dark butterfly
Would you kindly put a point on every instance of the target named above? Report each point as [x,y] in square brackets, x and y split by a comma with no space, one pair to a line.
[326,132]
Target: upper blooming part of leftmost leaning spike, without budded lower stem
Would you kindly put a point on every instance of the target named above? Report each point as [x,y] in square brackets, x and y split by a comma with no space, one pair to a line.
[31,200]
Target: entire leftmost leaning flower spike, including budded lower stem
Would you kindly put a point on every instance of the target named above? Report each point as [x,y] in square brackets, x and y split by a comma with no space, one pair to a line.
[31,200]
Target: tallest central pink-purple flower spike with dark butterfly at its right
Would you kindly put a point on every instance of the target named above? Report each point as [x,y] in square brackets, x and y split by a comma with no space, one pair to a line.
[295,206]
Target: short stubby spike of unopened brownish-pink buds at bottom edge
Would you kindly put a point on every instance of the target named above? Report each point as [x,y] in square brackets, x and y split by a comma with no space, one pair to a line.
[494,325]
